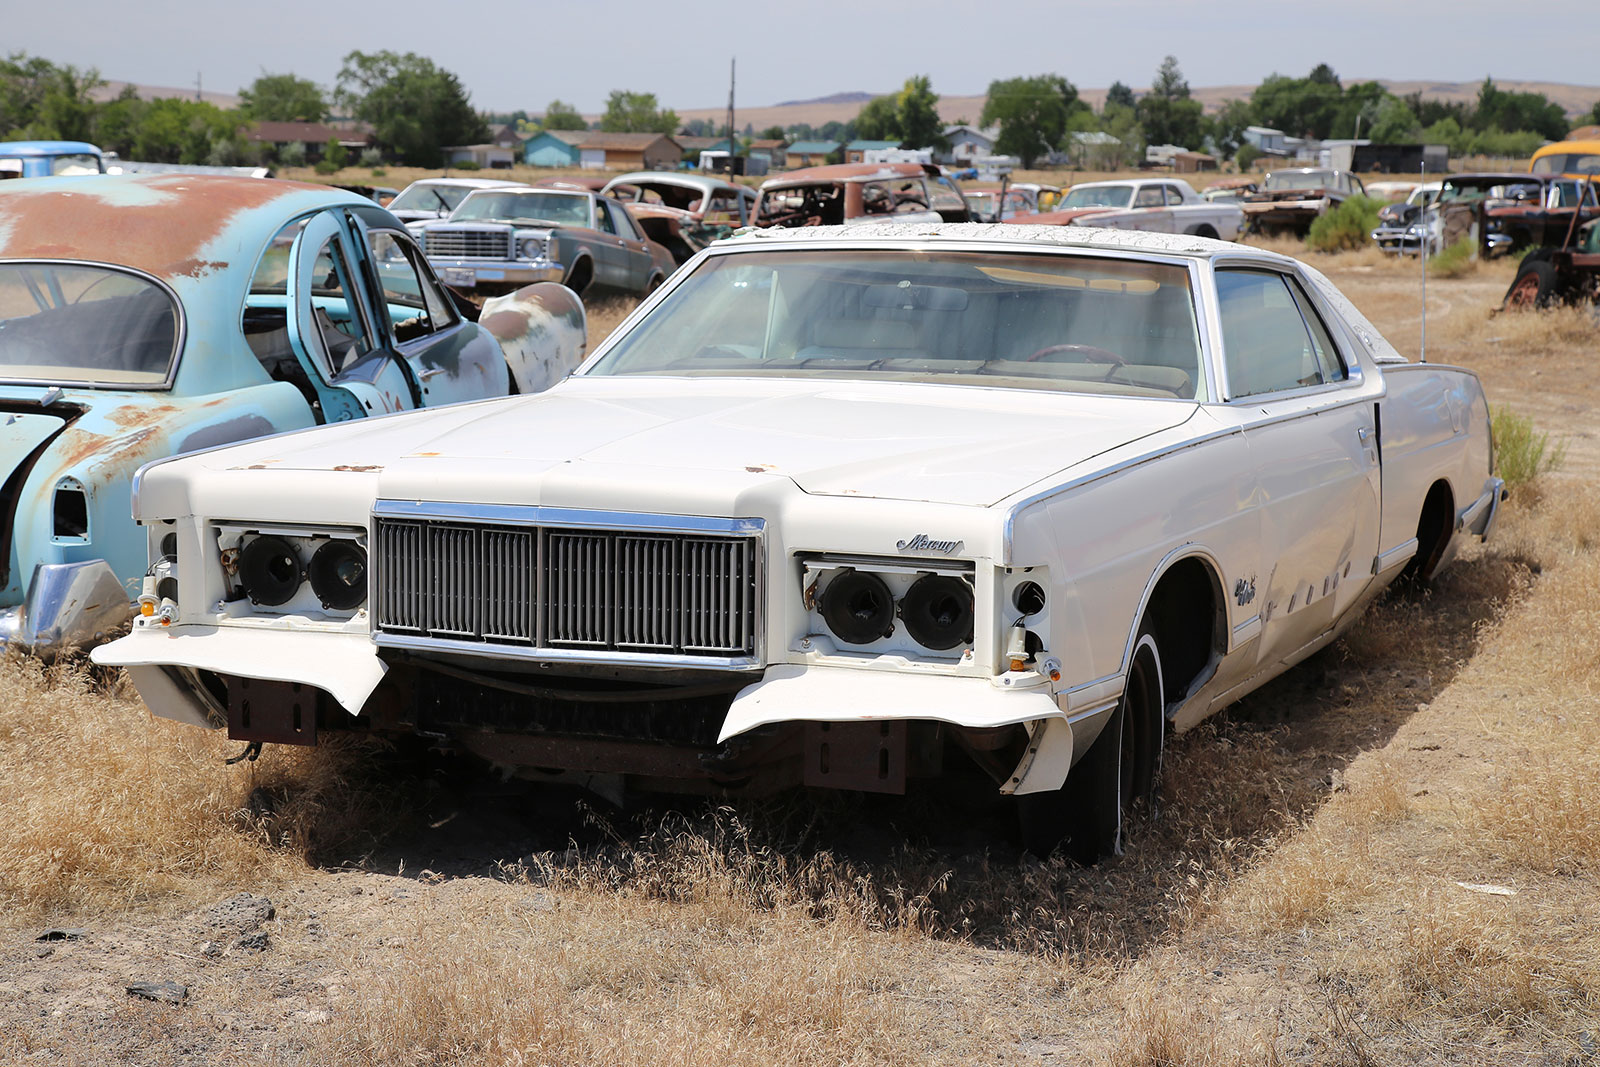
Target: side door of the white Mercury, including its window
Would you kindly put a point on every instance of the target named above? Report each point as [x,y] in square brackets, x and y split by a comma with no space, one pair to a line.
[1310,422]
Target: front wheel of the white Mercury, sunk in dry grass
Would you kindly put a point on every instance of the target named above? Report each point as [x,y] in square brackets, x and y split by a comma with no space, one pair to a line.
[1087,817]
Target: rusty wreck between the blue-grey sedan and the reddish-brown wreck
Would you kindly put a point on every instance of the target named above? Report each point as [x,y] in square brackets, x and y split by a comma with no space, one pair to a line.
[684,212]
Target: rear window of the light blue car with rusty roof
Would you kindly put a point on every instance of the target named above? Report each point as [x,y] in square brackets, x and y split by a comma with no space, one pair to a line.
[84,326]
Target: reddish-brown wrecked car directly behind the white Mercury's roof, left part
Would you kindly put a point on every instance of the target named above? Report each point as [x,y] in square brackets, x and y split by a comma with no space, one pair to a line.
[854,194]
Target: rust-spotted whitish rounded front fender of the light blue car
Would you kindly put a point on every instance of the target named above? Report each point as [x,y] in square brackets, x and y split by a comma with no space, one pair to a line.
[543,332]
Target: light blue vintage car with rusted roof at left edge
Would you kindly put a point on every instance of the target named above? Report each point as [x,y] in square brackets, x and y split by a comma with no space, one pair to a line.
[151,316]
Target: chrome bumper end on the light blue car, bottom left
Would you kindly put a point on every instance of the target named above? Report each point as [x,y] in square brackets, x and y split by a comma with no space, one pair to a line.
[68,607]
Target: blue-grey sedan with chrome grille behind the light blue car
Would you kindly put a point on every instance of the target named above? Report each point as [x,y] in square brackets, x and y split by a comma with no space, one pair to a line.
[498,241]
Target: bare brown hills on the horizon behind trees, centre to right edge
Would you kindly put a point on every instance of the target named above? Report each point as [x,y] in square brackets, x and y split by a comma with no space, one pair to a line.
[844,106]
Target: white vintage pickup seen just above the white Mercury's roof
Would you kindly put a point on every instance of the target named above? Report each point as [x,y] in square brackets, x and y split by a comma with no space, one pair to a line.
[1164,206]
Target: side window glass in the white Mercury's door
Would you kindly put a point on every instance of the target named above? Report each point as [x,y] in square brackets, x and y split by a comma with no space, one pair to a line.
[1273,338]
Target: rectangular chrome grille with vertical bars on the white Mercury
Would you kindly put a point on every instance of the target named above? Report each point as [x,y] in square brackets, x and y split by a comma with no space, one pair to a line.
[586,591]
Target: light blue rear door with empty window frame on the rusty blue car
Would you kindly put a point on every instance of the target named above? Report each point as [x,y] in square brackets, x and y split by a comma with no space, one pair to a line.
[332,326]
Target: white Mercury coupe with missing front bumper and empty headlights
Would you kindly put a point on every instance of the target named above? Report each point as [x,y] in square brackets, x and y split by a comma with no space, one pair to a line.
[838,508]
